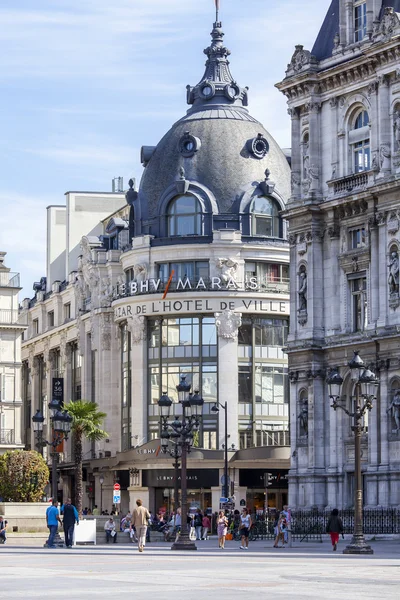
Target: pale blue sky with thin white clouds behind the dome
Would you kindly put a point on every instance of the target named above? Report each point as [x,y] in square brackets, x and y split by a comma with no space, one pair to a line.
[85,83]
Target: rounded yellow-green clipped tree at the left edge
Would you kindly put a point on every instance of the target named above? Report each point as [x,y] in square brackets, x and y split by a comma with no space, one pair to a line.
[23,476]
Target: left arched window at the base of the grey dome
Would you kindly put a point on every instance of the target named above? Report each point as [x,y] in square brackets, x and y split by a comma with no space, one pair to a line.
[184,216]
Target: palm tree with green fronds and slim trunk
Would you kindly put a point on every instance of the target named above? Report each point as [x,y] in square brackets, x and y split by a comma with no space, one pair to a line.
[86,422]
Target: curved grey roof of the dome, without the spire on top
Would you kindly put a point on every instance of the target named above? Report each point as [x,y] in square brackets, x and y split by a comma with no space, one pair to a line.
[223,163]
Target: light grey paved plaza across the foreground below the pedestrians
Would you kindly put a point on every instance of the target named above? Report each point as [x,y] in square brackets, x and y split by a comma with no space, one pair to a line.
[306,571]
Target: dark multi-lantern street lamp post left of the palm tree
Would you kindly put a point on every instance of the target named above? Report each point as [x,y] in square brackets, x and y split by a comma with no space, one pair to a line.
[61,427]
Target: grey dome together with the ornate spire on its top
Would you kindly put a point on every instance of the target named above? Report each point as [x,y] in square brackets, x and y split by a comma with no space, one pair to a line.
[224,162]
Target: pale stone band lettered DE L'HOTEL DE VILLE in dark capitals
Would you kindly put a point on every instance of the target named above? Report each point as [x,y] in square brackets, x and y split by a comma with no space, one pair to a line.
[206,305]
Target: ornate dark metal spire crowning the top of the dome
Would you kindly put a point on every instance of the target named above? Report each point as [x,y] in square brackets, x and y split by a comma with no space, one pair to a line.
[217,86]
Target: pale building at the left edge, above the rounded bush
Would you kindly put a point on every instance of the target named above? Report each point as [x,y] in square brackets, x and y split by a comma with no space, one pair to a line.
[11,329]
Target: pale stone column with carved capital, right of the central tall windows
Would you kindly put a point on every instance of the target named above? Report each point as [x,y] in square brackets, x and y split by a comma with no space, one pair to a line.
[228,323]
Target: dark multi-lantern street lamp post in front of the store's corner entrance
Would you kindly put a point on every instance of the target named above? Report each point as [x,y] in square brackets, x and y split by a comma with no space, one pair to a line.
[179,433]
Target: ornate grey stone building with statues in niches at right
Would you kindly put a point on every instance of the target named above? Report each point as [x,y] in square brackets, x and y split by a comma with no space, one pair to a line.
[344,102]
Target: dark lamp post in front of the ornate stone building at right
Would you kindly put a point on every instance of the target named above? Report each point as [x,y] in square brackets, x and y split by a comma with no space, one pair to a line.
[365,382]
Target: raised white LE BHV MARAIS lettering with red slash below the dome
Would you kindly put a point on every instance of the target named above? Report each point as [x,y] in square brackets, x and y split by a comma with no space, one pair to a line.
[214,284]
